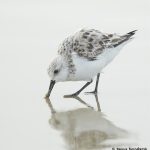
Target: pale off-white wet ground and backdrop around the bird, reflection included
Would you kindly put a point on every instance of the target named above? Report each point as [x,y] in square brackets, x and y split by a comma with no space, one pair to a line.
[30,32]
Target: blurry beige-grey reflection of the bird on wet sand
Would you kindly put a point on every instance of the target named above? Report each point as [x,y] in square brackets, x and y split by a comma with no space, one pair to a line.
[85,128]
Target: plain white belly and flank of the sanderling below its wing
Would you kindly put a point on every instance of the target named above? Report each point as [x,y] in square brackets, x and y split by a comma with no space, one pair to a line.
[86,70]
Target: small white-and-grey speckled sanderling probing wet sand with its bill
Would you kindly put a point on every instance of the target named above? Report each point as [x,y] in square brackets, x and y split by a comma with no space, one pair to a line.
[83,56]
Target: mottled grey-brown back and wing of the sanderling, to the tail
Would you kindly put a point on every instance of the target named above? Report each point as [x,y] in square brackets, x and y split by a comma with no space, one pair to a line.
[91,43]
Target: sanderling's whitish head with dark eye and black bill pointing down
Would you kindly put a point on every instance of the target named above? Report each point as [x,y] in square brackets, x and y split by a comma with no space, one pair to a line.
[57,71]
